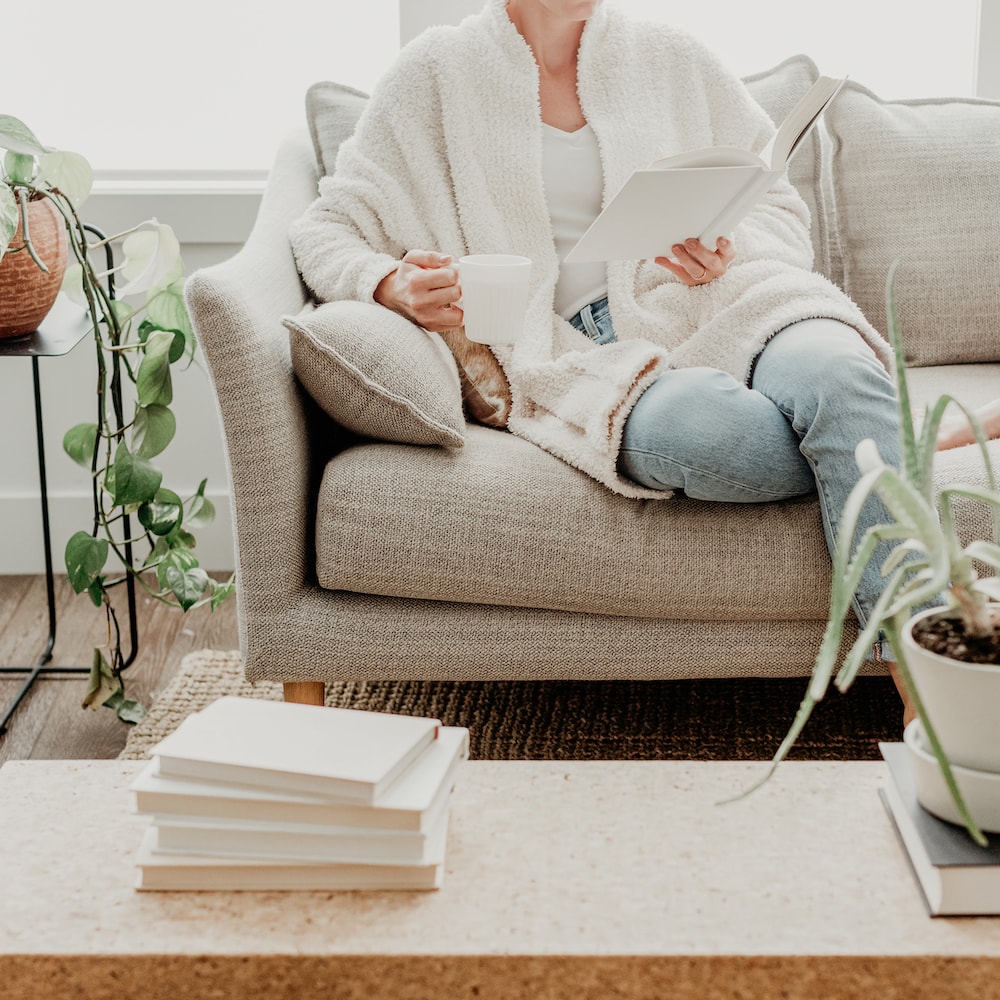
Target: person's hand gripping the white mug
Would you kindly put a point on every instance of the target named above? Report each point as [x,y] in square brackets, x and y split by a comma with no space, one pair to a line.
[424,288]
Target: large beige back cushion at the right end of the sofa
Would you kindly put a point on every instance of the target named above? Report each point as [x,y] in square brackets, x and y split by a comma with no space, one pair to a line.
[919,180]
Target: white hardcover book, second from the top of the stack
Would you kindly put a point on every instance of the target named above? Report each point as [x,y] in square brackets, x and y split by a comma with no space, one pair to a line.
[407,804]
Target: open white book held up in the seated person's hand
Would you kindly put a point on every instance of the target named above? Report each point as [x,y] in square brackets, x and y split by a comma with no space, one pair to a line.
[703,193]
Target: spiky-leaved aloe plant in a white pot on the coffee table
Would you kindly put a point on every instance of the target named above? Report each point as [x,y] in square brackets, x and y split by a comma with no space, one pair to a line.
[939,649]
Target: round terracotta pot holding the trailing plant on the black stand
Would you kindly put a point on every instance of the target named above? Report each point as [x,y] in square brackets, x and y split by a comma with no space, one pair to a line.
[26,291]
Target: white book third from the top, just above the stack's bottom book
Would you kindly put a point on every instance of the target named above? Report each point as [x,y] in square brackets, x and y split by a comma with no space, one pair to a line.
[275,841]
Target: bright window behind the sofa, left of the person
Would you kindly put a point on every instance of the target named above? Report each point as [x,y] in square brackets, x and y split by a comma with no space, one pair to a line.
[189,86]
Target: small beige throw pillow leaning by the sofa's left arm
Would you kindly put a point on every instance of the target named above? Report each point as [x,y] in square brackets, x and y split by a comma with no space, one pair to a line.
[377,374]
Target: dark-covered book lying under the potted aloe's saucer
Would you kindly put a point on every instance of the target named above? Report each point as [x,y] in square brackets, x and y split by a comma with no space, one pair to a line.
[956,876]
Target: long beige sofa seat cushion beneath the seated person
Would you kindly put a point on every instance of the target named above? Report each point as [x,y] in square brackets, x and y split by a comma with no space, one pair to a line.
[502,522]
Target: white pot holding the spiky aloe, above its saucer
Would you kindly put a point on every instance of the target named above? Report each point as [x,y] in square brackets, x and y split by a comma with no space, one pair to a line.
[961,699]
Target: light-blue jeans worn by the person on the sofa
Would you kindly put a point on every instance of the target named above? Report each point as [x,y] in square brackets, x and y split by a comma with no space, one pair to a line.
[816,390]
